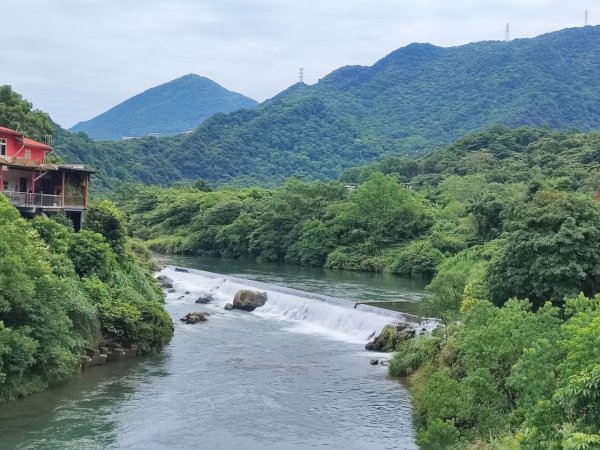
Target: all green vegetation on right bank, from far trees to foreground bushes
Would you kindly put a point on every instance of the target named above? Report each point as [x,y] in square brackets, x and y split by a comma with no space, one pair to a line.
[505,225]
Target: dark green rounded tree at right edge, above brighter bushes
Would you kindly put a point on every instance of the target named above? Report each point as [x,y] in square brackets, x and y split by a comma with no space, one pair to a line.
[552,250]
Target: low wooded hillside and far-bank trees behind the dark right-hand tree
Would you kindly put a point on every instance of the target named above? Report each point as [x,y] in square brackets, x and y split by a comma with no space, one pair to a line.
[456,200]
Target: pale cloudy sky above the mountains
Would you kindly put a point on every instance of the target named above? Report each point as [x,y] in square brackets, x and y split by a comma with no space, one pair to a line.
[75,59]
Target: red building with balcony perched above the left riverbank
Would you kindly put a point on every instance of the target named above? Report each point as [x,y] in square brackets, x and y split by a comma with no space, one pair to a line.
[35,186]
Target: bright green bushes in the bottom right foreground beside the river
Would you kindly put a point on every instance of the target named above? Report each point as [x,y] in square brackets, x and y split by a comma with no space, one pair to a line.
[526,379]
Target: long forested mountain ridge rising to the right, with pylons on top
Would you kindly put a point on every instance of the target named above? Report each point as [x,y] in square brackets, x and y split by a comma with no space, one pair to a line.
[415,100]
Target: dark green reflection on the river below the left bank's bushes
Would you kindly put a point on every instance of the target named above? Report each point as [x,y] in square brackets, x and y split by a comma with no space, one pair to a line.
[79,413]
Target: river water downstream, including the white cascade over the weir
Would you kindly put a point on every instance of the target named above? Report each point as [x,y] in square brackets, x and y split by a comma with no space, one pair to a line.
[291,375]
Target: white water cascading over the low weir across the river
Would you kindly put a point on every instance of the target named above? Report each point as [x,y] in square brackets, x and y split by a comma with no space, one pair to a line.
[306,311]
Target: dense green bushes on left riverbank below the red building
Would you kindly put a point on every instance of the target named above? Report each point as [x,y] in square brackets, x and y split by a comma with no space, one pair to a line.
[62,292]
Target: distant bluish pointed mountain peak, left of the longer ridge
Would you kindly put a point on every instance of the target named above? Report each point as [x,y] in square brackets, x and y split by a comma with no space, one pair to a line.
[174,107]
